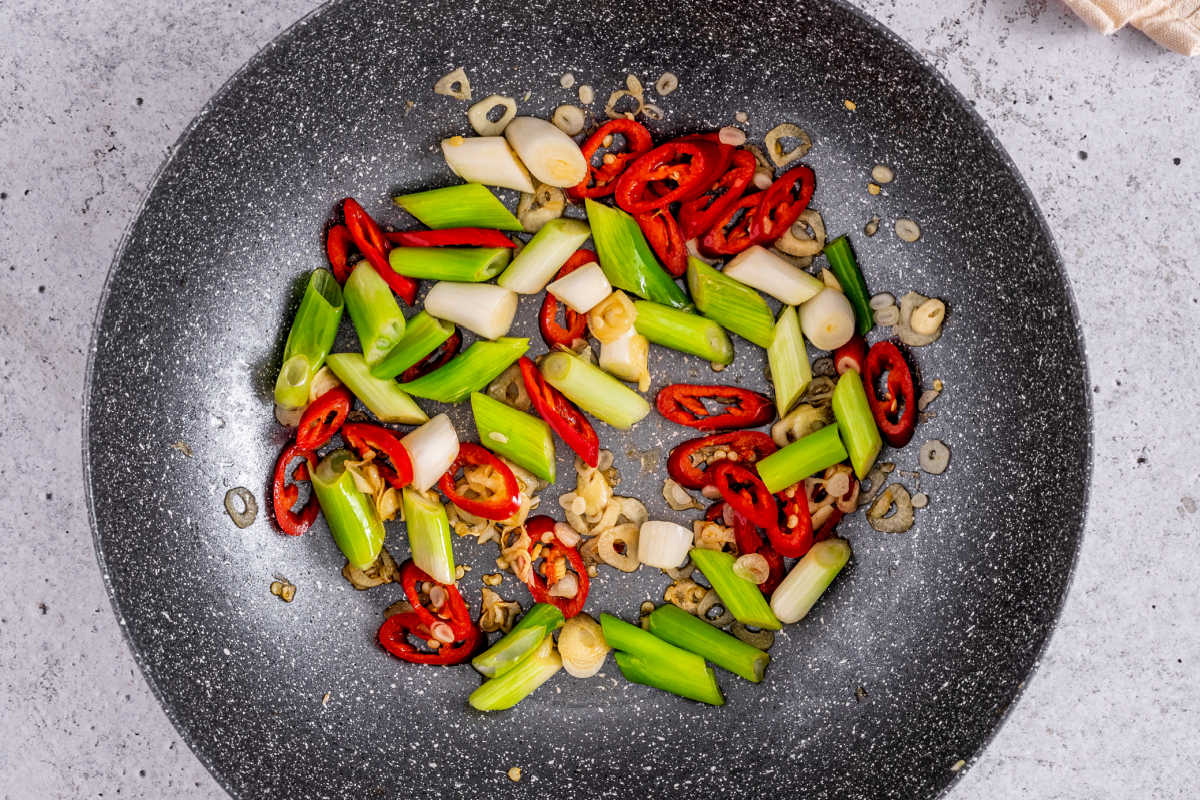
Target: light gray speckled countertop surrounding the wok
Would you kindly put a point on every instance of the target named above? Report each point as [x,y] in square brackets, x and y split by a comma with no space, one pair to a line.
[1105,131]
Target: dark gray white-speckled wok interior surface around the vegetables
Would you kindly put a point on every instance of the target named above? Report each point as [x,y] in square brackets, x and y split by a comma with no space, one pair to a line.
[905,667]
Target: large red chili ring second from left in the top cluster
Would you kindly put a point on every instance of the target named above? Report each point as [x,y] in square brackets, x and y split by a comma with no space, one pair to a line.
[686,166]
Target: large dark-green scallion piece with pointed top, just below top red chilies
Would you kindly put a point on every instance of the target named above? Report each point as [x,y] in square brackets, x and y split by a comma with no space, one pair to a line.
[627,258]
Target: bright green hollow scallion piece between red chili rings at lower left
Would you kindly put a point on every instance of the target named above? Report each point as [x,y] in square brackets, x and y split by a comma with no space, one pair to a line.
[351,514]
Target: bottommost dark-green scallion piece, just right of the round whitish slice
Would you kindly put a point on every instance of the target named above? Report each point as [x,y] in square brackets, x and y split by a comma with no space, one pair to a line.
[646,659]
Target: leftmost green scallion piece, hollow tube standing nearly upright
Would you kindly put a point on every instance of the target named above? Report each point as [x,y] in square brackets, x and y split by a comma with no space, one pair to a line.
[313,334]
